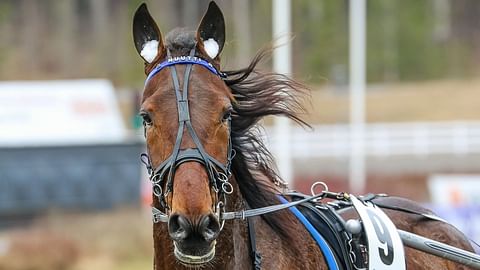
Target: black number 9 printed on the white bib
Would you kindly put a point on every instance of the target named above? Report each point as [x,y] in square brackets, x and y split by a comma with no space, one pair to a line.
[386,249]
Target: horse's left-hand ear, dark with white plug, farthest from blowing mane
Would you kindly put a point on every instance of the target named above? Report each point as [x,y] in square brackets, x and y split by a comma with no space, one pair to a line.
[146,35]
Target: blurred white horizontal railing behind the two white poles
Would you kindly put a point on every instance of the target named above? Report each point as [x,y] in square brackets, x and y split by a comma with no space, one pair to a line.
[386,139]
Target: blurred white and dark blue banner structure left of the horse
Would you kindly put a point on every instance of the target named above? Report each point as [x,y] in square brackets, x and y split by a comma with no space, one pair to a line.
[62,145]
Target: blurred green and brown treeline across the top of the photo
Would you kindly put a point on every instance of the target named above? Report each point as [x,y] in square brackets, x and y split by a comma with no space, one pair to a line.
[407,39]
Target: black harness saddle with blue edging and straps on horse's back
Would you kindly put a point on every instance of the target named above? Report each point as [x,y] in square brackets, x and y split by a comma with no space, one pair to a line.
[343,246]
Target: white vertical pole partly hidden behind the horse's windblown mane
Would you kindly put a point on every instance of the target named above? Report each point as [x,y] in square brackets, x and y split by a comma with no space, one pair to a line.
[282,64]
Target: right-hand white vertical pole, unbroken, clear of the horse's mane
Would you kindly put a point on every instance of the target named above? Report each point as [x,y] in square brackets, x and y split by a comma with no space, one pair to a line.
[357,13]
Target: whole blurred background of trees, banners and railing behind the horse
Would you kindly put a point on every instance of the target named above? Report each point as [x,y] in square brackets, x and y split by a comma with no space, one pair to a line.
[73,194]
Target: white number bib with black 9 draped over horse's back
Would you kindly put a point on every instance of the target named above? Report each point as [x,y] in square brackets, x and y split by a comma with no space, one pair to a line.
[385,248]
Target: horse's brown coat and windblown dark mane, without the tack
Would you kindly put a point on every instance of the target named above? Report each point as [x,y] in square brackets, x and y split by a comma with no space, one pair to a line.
[282,241]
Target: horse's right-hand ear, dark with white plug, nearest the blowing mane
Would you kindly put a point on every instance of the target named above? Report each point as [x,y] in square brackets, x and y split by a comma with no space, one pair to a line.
[211,32]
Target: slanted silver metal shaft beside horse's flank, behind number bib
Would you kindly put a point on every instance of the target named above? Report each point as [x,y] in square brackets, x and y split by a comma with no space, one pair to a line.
[439,249]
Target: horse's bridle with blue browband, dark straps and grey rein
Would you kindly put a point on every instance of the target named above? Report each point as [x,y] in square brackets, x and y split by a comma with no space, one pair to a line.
[219,173]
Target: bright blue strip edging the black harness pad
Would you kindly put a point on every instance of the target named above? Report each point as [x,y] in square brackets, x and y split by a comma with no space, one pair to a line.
[326,250]
